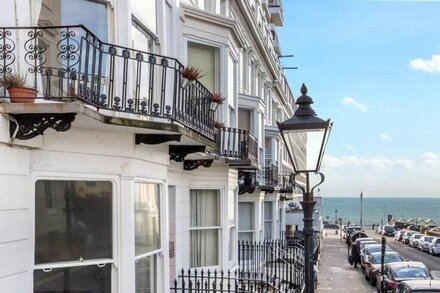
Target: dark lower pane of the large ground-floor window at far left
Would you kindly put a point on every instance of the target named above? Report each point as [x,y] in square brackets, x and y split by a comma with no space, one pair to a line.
[90,279]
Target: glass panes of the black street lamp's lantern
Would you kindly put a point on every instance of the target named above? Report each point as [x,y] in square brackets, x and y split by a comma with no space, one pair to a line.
[305,148]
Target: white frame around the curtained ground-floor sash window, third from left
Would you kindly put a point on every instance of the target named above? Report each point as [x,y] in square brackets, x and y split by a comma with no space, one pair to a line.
[219,228]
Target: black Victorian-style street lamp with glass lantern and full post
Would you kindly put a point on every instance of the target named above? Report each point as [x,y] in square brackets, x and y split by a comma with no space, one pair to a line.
[305,137]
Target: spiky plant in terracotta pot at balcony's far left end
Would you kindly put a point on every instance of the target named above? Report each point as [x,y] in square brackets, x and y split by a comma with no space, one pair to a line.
[17,89]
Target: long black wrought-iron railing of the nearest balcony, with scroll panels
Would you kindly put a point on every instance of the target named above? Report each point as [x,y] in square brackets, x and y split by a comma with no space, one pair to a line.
[69,63]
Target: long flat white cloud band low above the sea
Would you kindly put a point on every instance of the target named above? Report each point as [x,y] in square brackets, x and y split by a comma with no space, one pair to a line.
[376,163]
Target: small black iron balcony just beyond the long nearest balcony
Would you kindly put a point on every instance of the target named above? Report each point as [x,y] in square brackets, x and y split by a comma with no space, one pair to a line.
[239,147]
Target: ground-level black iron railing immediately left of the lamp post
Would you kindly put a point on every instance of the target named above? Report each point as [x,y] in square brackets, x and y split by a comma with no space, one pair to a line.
[279,262]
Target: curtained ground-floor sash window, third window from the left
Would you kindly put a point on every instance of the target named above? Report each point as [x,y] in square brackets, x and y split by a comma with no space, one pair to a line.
[205,228]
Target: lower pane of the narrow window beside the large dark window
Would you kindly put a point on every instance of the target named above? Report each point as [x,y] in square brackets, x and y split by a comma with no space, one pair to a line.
[146,275]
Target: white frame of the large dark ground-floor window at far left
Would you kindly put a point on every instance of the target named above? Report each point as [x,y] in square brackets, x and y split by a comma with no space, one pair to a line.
[60,176]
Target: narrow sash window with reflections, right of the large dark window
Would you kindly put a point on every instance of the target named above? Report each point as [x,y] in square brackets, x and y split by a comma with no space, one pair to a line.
[147,235]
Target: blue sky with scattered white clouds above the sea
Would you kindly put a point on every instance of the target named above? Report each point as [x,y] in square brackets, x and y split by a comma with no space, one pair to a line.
[373,68]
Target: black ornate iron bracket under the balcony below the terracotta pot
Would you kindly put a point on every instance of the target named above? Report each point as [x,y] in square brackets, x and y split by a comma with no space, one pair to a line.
[31,125]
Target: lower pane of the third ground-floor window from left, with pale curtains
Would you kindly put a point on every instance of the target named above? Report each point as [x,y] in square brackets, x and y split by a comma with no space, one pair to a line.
[204,248]
